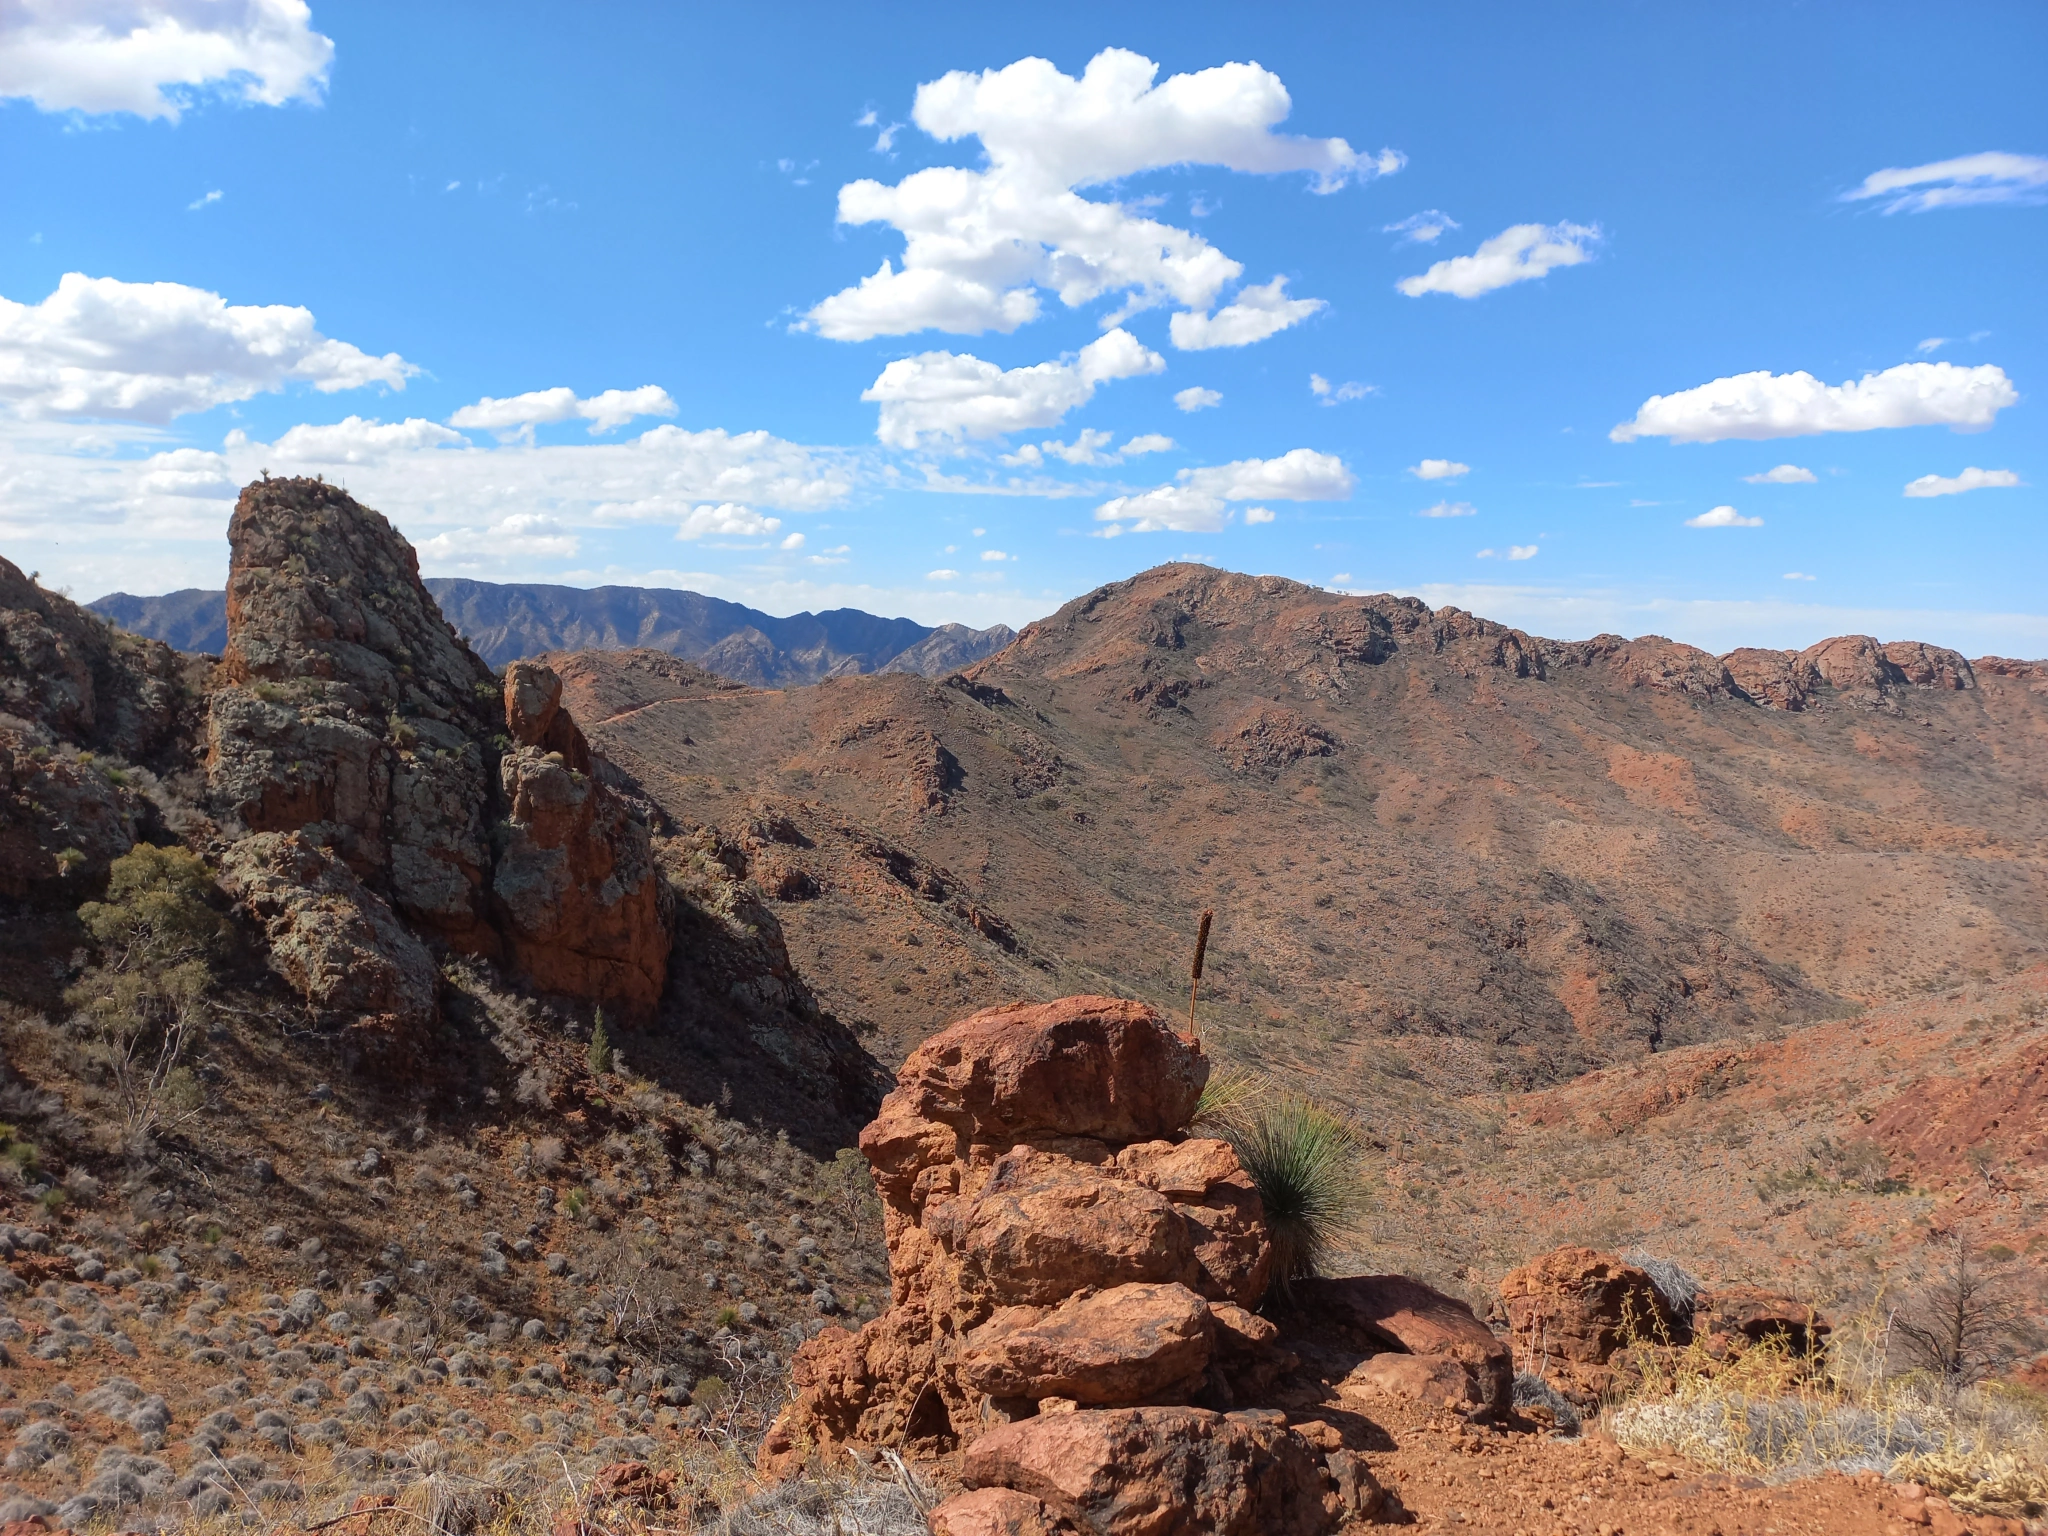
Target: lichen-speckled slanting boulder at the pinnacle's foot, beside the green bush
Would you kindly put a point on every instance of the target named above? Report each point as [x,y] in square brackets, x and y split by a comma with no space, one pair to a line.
[337,943]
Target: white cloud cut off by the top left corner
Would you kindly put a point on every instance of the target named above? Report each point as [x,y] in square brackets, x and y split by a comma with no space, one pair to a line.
[157,58]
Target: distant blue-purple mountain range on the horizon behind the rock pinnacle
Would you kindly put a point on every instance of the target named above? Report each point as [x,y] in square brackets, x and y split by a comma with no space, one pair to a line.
[507,622]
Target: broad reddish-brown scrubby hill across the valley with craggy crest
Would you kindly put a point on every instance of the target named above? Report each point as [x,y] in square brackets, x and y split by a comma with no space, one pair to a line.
[1437,847]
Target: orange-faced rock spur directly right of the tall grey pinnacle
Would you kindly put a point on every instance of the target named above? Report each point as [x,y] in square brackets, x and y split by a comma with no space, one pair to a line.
[577,890]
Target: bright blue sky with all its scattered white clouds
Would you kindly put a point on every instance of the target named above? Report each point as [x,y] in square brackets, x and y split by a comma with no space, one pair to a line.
[595,296]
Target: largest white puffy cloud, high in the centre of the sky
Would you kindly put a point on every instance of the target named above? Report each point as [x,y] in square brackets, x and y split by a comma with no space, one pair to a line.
[982,245]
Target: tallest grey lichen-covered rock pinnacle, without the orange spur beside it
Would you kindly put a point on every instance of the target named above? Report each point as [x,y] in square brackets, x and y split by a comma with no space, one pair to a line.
[349,710]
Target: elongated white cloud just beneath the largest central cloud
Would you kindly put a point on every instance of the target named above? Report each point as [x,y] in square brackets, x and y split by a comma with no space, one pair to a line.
[959,396]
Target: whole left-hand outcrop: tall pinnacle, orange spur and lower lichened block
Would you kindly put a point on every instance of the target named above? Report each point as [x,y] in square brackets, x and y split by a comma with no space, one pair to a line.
[353,718]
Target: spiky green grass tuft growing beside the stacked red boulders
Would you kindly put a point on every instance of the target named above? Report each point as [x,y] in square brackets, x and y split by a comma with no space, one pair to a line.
[1306,1162]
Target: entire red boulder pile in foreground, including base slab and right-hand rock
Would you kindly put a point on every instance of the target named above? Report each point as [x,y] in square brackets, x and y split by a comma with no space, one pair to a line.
[1076,1285]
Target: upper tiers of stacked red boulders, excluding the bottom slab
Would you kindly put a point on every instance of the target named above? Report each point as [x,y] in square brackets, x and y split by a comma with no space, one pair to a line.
[1054,1234]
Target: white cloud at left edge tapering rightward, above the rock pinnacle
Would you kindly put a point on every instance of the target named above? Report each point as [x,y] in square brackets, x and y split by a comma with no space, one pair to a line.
[155,351]
